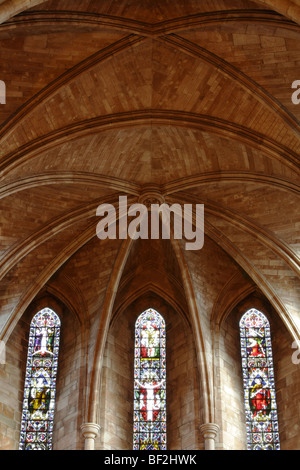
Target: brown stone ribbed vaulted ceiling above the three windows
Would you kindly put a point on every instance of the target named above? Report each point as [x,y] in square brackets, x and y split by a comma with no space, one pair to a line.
[190,100]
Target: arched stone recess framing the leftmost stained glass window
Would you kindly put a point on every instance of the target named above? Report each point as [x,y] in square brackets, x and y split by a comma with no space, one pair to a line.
[68,401]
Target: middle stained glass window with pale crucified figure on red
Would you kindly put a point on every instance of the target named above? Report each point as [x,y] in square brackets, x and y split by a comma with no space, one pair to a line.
[150,382]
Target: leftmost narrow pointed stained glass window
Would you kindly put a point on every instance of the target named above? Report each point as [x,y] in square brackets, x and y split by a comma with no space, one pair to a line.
[40,382]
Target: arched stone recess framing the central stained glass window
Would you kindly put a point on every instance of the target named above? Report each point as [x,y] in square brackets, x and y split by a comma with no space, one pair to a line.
[117,376]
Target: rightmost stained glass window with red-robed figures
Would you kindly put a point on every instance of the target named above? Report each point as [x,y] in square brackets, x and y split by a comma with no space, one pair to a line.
[258,379]
